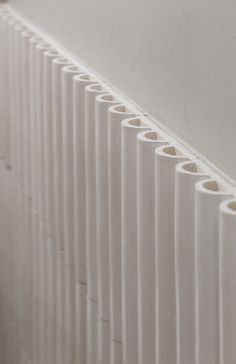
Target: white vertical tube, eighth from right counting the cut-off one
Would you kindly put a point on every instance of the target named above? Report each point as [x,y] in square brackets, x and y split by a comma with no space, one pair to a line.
[103,102]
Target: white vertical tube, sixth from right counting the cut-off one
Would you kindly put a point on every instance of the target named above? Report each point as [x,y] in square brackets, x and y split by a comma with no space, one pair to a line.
[130,128]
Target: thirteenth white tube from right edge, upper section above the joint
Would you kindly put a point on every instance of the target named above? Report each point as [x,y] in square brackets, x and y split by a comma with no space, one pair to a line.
[48,139]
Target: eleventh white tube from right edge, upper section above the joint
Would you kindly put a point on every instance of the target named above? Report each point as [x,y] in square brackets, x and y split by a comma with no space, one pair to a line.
[68,74]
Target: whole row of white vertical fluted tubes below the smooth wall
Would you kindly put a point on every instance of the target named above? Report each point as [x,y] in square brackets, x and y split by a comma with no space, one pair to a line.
[115,246]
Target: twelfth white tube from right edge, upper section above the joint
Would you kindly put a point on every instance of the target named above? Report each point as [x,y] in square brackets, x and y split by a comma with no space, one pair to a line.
[57,65]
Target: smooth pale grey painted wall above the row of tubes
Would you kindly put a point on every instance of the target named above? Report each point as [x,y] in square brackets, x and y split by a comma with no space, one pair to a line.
[175,58]
